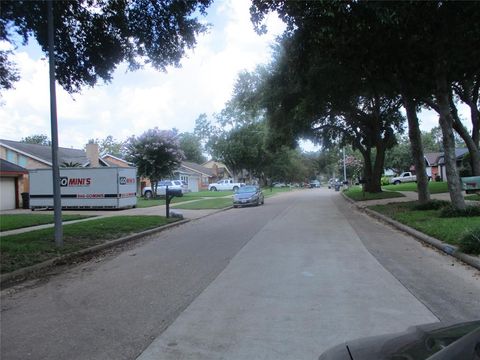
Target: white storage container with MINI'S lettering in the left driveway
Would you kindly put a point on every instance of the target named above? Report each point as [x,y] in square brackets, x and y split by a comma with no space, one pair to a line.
[85,188]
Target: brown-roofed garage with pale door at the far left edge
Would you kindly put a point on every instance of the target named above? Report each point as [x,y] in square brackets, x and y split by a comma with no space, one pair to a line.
[11,182]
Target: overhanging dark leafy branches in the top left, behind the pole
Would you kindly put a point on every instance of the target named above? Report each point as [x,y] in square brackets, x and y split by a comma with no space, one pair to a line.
[93,37]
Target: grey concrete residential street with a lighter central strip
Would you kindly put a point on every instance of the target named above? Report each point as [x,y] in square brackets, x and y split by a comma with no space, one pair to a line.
[285,280]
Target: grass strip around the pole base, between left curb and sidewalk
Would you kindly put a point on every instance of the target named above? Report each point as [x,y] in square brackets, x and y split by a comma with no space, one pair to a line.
[21,250]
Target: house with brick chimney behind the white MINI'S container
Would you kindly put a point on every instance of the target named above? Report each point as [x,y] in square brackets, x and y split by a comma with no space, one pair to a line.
[35,156]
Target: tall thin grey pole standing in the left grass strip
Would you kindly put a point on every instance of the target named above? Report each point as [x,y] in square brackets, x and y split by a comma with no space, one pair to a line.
[57,199]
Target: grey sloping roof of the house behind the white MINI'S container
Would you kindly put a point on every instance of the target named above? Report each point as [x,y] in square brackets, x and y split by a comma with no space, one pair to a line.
[43,153]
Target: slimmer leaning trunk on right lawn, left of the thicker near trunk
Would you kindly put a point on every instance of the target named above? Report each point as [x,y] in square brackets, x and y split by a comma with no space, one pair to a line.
[415,136]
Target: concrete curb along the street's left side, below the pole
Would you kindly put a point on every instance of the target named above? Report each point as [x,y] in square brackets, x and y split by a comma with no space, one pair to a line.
[12,277]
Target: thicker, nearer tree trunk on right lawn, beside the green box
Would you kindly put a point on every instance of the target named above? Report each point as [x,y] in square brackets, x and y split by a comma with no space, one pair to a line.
[446,124]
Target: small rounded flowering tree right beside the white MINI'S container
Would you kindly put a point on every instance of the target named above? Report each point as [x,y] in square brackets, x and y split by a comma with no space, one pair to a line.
[156,153]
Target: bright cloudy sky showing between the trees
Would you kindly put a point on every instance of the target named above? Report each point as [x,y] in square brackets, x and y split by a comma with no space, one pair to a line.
[136,101]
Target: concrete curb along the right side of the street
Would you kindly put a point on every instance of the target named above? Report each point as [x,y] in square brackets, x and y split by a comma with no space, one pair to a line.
[440,245]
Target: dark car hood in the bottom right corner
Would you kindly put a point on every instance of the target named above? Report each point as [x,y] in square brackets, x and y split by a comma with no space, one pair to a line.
[424,342]
